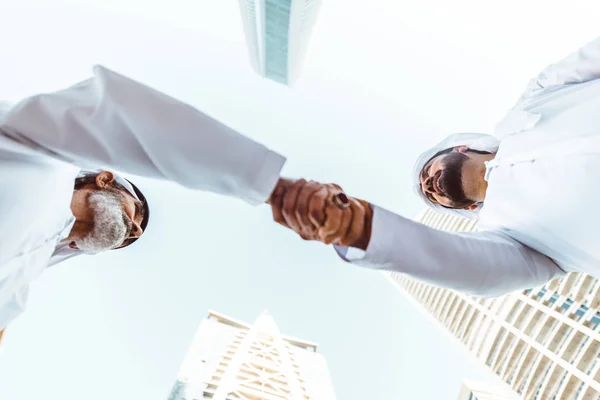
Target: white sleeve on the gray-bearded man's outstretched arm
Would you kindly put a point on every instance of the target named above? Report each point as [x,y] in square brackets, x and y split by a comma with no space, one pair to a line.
[111,121]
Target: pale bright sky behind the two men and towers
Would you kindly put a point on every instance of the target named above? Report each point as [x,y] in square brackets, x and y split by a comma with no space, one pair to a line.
[383,80]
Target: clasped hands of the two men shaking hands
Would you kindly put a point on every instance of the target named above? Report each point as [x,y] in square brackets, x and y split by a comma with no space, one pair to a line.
[322,212]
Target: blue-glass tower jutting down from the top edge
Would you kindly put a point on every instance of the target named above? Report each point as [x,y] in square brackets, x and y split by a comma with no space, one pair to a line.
[278,34]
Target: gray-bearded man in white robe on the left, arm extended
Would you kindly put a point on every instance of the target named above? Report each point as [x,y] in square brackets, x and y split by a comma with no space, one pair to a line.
[57,200]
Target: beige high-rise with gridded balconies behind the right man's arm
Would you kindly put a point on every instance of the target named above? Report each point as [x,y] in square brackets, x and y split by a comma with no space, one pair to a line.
[544,341]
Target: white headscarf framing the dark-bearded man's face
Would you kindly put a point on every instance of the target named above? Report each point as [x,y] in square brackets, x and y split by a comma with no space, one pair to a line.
[475,141]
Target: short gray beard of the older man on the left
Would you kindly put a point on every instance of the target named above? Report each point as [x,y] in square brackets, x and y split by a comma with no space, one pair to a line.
[111,225]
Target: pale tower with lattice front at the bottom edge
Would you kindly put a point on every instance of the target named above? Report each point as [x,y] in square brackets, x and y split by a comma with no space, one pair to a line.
[229,359]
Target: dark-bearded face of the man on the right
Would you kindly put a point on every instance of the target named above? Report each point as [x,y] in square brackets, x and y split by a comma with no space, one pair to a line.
[450,180]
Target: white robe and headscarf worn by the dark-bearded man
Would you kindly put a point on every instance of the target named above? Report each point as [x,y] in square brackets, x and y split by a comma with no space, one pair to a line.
[539,218]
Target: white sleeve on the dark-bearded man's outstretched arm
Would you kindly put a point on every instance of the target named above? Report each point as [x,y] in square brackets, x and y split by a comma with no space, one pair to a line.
[484,264]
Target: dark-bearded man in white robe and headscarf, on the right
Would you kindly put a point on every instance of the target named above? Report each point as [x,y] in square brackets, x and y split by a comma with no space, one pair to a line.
[533,186]
